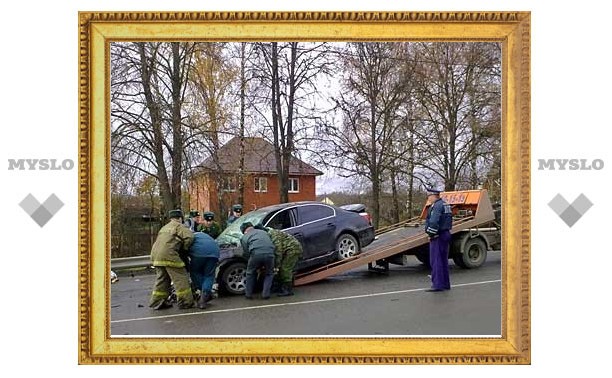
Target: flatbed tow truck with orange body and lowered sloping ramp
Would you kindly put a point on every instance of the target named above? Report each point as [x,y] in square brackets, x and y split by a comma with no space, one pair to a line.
[475,230]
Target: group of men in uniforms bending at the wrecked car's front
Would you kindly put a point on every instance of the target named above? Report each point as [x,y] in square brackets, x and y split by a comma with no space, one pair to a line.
[186,255]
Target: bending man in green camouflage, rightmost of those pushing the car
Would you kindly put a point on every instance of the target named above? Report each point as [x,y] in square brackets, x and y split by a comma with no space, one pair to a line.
[287,252]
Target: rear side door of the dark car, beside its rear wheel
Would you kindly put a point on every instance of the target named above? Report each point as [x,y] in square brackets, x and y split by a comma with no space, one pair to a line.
[318,228]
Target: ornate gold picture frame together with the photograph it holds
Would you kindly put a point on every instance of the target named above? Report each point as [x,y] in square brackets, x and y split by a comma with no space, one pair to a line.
[304,187]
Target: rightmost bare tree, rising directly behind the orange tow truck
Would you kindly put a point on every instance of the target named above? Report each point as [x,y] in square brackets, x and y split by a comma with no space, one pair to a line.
[459,90]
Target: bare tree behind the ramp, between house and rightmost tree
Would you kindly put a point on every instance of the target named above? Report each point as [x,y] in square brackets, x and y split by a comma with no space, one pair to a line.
[373,90]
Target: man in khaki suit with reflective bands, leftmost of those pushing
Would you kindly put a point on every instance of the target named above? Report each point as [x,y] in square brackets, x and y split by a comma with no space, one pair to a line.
[172,240]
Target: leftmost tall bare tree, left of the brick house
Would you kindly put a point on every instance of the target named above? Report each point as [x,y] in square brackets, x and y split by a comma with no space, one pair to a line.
[148,90]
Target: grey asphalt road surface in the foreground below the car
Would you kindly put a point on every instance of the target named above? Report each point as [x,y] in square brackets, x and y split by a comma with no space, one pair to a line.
[356,303]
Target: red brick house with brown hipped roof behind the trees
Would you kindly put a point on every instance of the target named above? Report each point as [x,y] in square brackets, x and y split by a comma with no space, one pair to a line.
[261,187]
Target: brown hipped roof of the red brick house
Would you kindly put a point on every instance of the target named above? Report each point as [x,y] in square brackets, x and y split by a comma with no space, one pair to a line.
[258,158]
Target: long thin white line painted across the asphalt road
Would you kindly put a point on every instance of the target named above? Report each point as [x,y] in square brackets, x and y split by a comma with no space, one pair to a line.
[294,303]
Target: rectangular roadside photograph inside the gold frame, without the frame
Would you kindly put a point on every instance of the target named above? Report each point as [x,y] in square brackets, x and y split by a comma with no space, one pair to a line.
[293,189]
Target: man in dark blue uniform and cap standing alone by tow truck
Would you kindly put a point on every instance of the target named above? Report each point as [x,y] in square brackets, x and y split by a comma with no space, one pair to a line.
[438,225]
